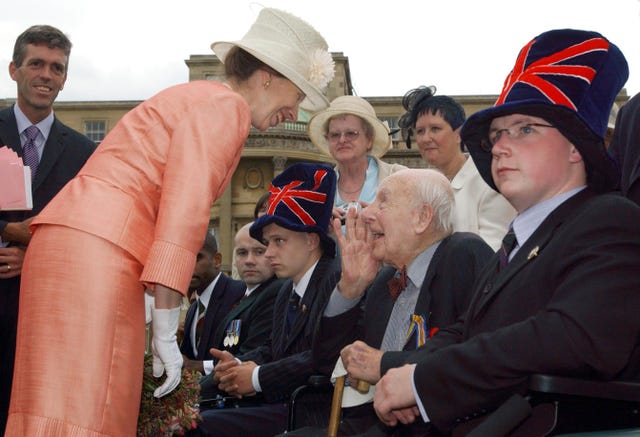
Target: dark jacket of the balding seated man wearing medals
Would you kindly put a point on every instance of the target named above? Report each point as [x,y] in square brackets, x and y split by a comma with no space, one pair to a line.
[256,316]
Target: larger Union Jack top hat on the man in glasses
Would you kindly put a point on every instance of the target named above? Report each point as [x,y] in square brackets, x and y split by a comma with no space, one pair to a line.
[570,78]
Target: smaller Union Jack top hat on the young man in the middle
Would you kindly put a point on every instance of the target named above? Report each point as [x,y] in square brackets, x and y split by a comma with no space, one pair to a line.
[301,200]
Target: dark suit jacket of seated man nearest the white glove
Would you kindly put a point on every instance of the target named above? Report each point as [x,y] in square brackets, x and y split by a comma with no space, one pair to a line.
[224,295]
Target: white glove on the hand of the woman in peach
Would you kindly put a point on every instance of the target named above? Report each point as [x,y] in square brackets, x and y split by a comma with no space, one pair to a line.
[166,354]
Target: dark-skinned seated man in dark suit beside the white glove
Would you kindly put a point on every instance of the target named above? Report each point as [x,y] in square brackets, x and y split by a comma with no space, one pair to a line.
[215,295]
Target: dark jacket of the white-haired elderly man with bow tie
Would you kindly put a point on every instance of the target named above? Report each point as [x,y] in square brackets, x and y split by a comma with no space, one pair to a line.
[444,296]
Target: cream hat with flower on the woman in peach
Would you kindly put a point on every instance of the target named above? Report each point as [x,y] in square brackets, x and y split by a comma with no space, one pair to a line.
[293,48]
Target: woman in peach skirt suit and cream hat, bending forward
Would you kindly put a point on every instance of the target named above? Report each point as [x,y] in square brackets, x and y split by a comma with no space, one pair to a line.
[134,217]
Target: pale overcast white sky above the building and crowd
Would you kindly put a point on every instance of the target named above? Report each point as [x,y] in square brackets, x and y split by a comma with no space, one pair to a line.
[129,50]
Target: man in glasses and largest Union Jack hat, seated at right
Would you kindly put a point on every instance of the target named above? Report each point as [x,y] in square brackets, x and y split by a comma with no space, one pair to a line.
[560,297]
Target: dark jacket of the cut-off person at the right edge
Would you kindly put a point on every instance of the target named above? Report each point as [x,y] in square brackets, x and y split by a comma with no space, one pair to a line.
[625,148]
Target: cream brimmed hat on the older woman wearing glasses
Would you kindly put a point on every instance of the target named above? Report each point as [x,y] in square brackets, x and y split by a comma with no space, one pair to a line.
[349,105]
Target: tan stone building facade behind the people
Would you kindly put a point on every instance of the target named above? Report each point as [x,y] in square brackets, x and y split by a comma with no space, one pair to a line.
[265,154]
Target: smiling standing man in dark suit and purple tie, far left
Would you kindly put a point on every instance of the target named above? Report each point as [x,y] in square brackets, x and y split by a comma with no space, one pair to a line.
[39,67]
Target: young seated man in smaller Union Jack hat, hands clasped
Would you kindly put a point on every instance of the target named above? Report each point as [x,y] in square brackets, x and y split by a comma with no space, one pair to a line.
[294,230]
